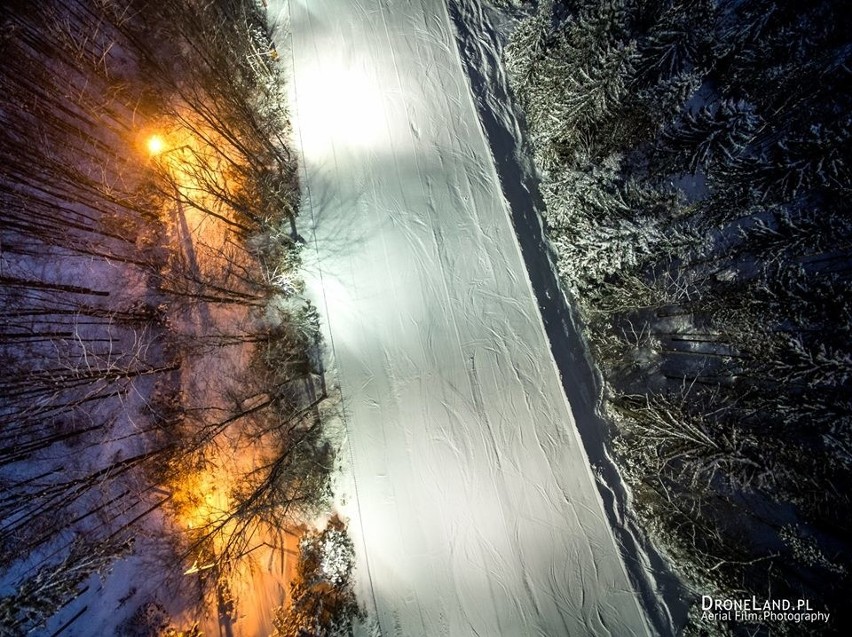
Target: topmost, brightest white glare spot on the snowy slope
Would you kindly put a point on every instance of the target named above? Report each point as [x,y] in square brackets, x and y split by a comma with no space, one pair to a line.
[344,104]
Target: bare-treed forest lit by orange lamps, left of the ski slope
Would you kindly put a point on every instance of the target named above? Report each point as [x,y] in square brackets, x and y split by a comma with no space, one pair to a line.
[161,391]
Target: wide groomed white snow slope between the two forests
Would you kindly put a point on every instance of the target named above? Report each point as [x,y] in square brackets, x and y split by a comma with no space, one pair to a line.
[476,512]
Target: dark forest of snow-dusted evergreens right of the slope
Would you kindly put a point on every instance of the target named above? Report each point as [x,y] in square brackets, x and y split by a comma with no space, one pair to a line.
[694,162]
